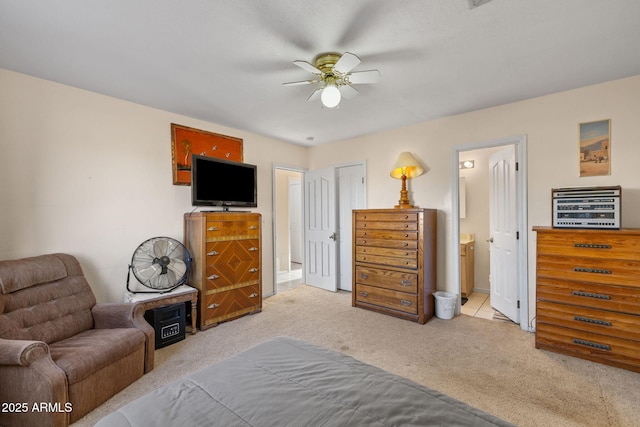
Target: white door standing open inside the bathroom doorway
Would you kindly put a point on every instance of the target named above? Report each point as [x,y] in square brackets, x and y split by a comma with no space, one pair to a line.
[503,224]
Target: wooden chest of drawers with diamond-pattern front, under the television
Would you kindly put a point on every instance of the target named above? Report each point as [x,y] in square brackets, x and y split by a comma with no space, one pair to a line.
[227,264]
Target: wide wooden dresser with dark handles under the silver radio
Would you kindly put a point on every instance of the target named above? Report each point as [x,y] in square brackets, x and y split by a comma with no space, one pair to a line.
[588,294]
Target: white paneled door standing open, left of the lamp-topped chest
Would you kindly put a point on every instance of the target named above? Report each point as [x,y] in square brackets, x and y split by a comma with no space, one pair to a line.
[320,229]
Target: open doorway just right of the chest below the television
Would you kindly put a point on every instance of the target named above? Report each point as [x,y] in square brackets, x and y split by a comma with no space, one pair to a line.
[288,232]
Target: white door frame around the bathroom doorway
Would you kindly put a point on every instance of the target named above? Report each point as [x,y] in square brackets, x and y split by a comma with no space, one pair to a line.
[520,142]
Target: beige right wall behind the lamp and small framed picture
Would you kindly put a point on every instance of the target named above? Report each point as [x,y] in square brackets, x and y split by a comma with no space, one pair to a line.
[551,126]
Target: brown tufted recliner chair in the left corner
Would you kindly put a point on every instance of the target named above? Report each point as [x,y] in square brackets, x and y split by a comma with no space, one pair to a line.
[61,354]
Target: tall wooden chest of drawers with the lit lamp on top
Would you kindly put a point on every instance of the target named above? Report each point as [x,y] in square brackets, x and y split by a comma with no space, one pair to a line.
[394,262]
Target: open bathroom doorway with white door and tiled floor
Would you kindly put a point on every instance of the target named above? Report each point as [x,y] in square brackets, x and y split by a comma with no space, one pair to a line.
[474,229]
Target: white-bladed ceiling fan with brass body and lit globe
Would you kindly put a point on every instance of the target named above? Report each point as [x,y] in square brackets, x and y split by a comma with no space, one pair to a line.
[334,77]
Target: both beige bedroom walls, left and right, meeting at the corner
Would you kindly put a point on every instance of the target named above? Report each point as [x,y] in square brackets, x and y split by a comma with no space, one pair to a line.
[91,175]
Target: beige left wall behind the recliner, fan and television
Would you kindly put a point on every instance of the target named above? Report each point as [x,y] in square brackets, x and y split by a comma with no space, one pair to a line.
[90,175]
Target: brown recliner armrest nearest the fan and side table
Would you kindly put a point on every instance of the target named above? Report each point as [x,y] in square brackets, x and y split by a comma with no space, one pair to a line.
[125,315]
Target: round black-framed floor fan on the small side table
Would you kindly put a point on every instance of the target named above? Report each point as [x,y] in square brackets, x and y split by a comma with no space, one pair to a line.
[161,264]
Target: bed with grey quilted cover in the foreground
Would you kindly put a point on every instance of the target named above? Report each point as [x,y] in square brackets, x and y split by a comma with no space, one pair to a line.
[287,382]
